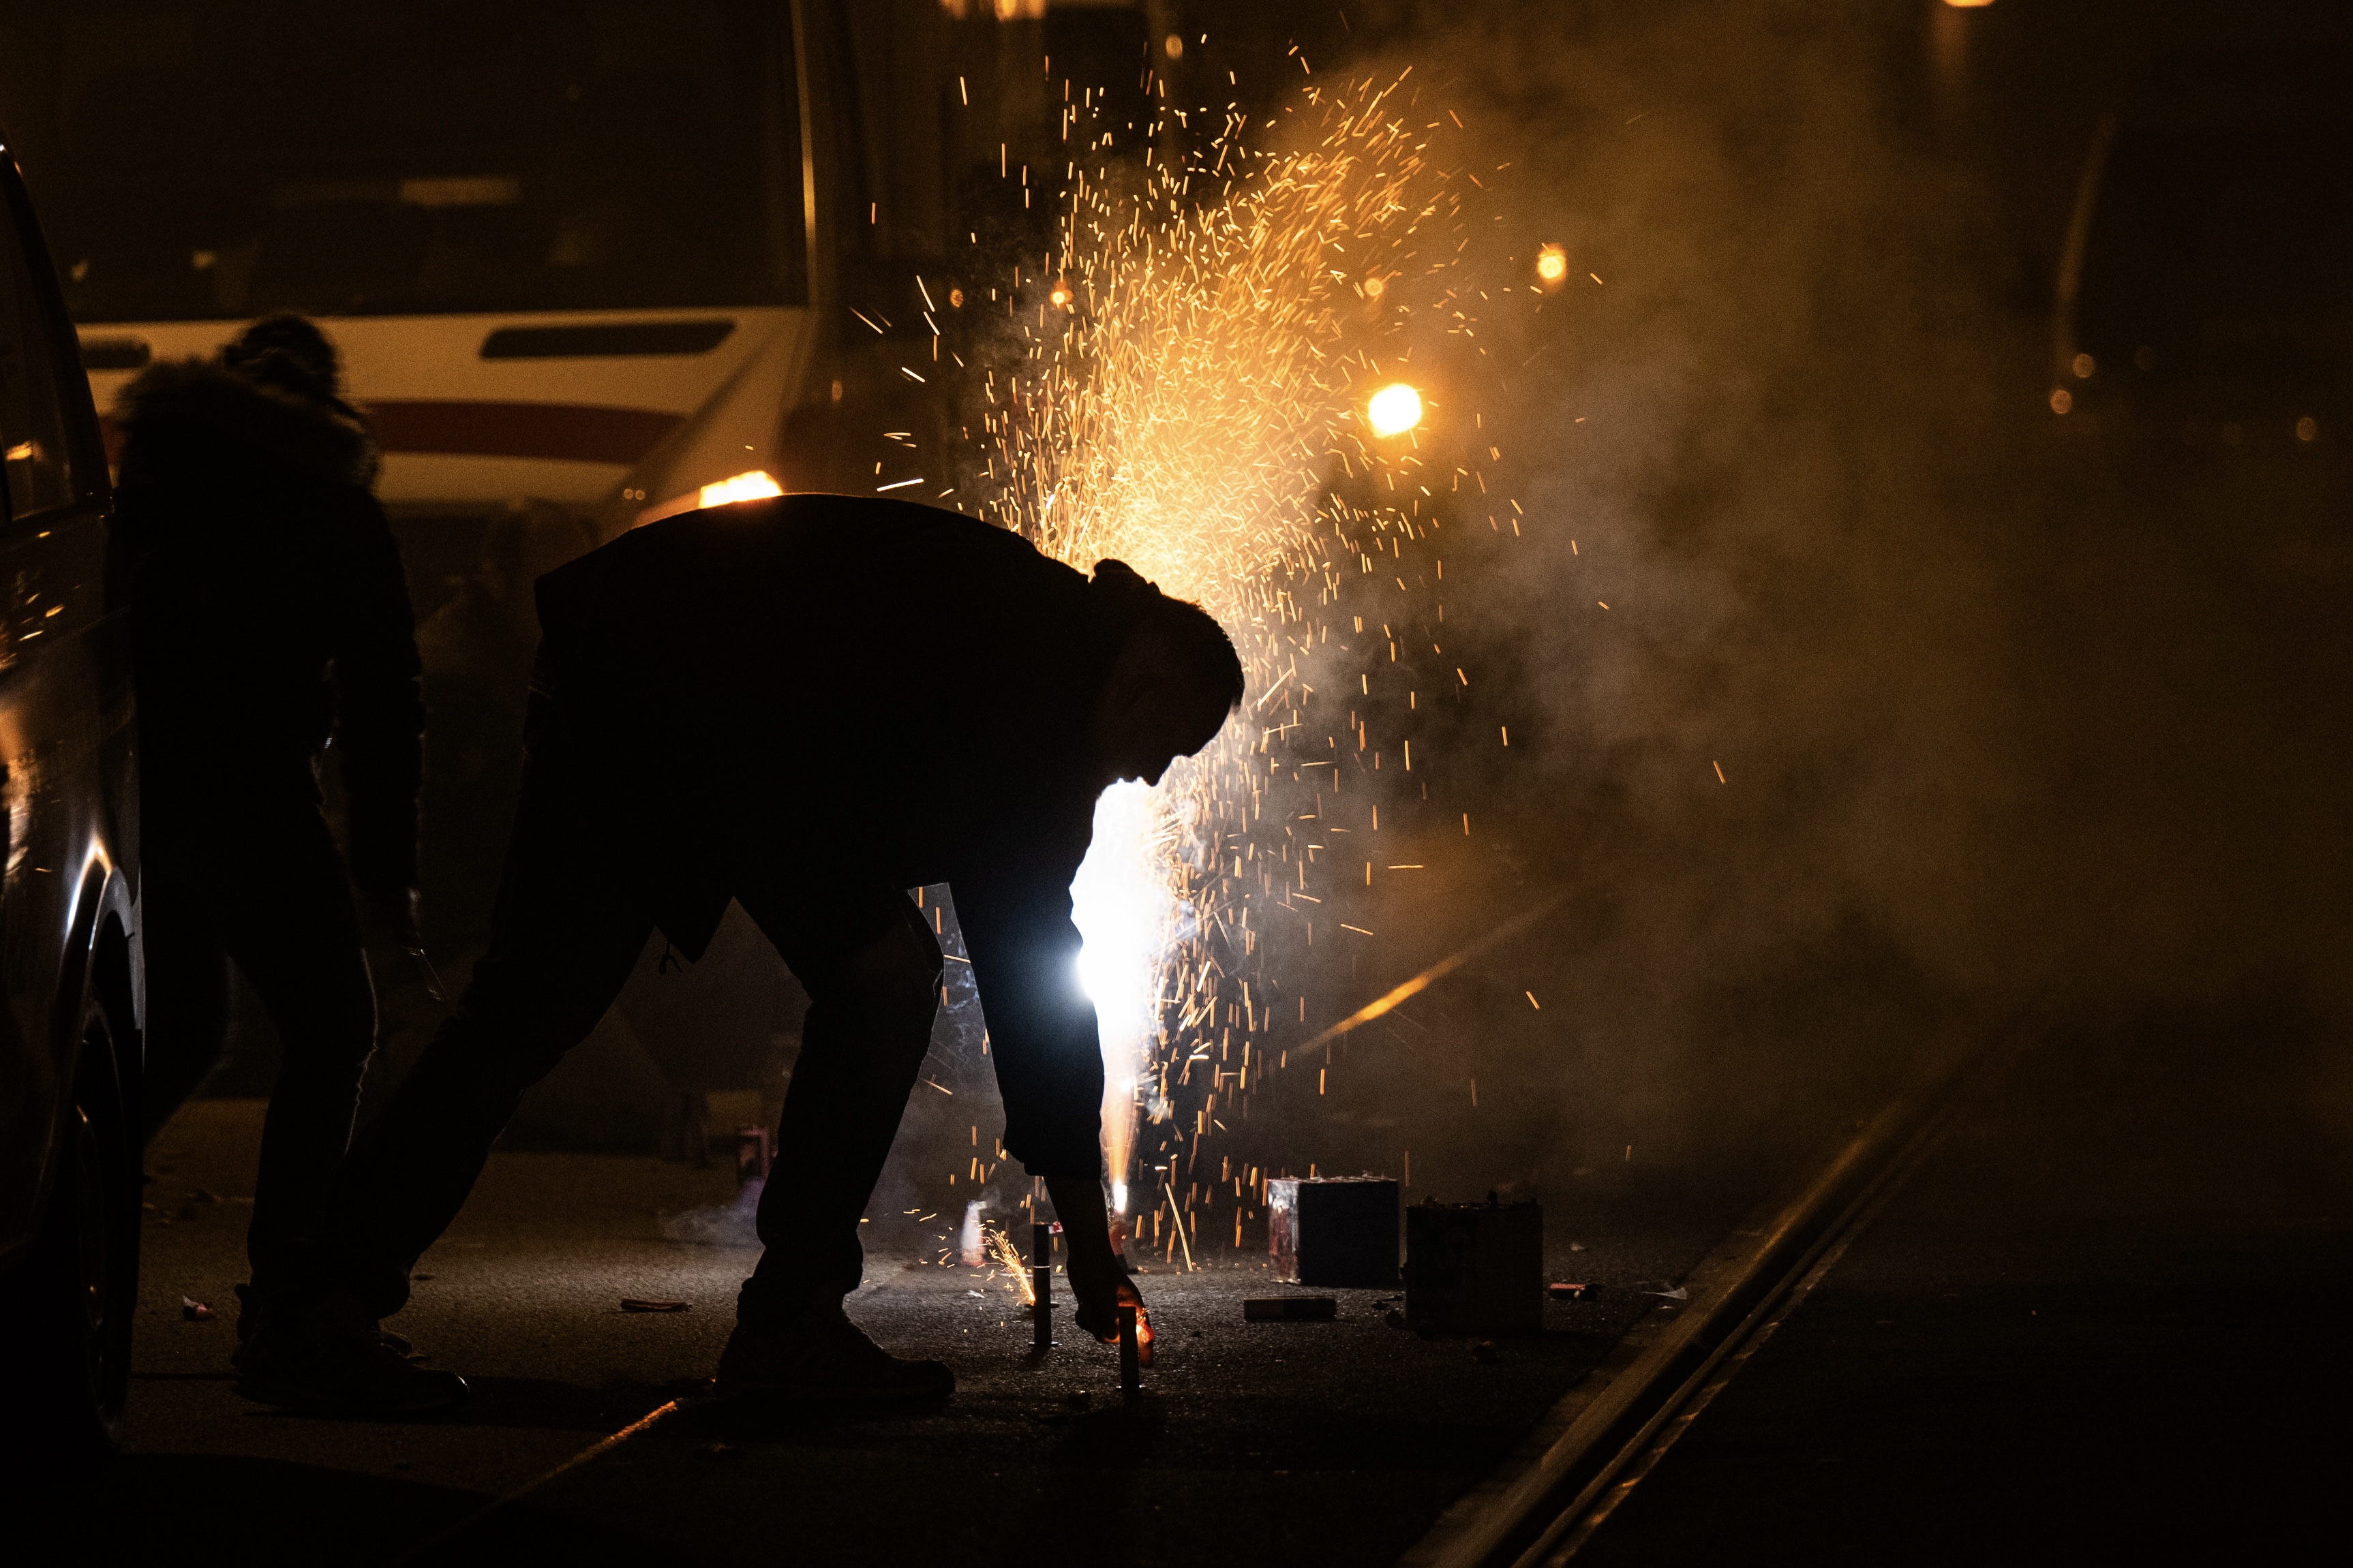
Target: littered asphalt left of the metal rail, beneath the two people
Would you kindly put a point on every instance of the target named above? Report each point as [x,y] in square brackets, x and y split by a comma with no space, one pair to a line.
[1255,1442]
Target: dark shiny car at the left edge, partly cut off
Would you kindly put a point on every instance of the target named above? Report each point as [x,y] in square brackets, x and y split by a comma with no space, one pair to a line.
[69,934]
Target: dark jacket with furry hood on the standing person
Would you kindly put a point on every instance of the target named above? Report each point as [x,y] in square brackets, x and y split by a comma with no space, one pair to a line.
[269,612]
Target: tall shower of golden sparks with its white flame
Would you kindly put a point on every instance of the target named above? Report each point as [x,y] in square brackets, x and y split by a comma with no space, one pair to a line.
[1197,396]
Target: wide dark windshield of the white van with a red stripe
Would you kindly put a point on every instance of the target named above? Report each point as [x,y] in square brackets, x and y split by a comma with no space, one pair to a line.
[232,159]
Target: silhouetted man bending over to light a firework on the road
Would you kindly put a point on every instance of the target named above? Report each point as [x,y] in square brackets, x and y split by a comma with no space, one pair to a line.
[806,704]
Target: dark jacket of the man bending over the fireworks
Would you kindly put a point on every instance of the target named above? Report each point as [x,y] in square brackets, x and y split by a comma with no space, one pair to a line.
[876,697]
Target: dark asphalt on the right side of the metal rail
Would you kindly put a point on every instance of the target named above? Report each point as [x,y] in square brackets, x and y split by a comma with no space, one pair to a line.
[2105,1325]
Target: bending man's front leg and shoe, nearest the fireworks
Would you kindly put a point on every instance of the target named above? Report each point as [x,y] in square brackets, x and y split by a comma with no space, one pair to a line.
[872,970]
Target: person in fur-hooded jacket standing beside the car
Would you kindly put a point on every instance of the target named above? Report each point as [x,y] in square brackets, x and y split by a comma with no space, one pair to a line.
[269,624]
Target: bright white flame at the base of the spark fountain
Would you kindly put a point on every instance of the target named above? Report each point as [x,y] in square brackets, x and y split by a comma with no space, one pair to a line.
[1124,909]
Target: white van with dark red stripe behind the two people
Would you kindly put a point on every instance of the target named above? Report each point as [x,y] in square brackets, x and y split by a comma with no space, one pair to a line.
[580,253]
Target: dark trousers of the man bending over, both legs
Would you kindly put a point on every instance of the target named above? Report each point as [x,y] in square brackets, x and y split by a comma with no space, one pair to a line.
[571,923]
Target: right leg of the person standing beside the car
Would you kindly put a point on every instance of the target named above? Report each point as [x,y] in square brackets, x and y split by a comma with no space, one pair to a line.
[288,923]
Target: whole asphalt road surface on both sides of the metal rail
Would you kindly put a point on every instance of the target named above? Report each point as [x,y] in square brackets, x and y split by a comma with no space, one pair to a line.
[2100,1325]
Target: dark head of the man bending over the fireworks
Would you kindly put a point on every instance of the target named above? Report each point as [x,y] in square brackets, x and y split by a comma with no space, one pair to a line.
[1171,688]
